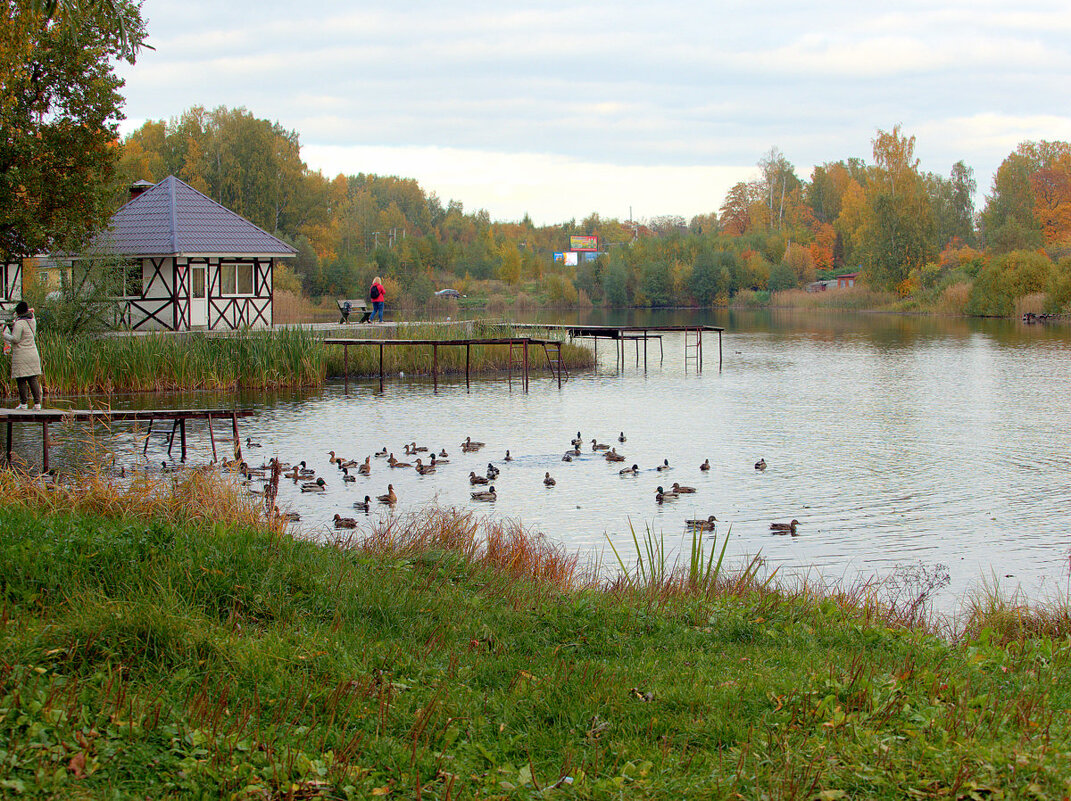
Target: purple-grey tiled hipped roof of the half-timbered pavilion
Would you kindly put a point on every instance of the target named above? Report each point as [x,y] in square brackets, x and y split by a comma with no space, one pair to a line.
[173,219]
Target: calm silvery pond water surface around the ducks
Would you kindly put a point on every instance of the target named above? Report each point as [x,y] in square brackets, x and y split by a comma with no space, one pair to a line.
[894,441]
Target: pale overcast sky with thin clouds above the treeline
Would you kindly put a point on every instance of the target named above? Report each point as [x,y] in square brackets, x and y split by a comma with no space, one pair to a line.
[561,110]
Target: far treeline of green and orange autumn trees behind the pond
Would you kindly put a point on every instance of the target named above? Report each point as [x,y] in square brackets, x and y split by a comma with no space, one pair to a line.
[915,237]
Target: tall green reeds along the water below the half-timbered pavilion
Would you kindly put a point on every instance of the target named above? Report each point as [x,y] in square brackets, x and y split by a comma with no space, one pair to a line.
[248,359]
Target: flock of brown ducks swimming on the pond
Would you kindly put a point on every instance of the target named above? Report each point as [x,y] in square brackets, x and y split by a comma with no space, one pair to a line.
[482,488]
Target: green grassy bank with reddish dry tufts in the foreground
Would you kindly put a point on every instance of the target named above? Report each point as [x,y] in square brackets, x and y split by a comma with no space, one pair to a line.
[147,649]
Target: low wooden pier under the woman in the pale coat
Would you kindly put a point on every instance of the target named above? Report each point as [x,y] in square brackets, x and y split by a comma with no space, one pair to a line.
[178,419]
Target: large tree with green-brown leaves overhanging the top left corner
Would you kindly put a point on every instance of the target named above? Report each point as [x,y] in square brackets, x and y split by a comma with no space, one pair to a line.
[59,111]
